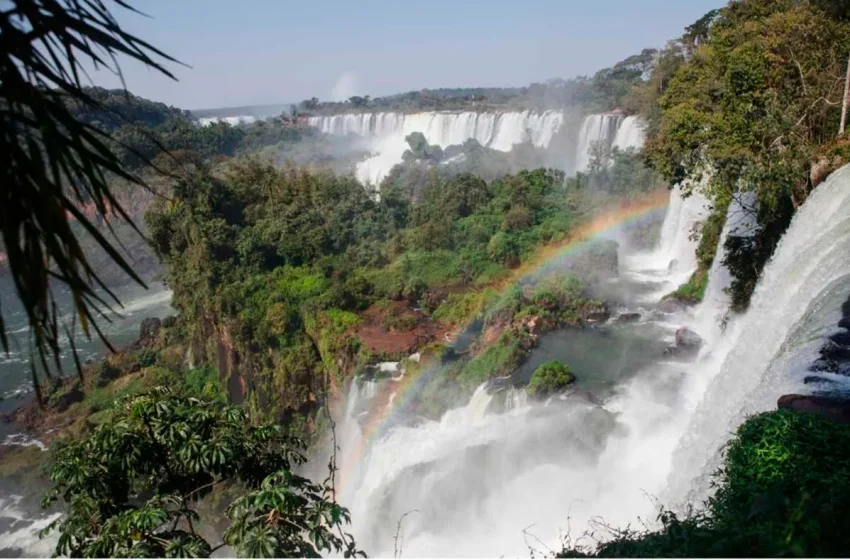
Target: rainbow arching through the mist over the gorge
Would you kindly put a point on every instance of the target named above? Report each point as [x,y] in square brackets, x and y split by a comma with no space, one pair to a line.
[549,258]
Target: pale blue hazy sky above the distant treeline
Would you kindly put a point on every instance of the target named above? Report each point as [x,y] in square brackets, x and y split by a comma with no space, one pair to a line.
[252,52]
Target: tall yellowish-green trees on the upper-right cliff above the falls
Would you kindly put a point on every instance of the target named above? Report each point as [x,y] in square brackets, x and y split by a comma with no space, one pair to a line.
[746,100]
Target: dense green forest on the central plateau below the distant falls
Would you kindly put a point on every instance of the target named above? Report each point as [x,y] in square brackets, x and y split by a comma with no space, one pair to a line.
[263,258]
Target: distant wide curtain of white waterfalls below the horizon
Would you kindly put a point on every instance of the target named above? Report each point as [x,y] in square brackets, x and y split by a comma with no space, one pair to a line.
[384,133]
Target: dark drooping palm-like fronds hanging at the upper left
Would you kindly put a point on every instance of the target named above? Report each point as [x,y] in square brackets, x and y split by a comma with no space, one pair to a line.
[53,163]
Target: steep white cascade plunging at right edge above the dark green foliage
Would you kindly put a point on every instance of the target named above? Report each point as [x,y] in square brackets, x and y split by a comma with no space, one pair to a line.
[766,352]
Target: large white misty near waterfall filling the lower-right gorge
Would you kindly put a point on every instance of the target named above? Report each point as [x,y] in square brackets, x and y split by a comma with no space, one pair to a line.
[486,480]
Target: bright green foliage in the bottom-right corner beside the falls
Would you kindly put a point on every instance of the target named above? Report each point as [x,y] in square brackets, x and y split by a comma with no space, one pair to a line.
[784,491]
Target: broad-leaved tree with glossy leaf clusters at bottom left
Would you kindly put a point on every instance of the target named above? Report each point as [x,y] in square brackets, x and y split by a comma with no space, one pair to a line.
[133,487]
